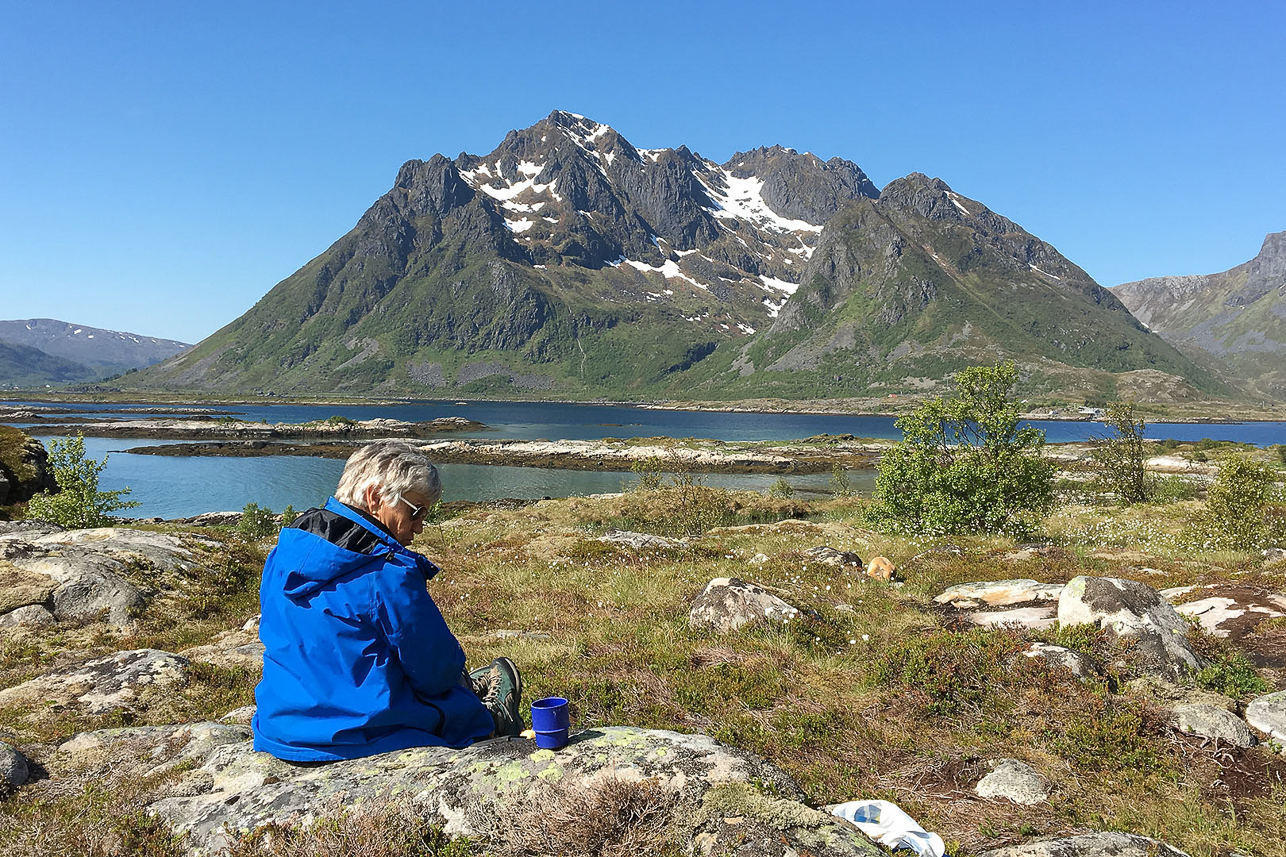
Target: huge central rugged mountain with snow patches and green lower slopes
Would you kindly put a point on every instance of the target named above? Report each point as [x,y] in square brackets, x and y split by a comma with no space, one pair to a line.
[572,263]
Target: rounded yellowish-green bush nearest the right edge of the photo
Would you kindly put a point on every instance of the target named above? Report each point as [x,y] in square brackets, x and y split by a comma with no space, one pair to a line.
[1236,506]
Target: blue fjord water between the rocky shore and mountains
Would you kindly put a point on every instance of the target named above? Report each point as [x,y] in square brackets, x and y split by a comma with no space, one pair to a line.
[174,487]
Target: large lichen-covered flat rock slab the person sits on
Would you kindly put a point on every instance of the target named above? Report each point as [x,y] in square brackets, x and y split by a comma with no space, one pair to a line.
[711,786]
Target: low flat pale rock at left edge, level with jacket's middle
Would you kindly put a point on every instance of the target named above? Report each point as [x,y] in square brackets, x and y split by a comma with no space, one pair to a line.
[101,685]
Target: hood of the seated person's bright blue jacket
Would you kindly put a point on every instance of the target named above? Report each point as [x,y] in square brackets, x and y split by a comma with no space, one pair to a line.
[336,542]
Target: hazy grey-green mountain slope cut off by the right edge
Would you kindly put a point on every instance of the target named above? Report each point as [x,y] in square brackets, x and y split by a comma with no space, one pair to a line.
[1234,321]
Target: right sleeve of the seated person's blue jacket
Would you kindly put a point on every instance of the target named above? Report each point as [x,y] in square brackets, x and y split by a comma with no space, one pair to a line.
[424,645]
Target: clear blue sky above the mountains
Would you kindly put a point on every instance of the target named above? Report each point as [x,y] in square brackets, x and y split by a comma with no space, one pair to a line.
[163,165]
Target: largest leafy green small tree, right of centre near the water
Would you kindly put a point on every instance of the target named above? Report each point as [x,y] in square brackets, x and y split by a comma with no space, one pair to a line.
[965,465]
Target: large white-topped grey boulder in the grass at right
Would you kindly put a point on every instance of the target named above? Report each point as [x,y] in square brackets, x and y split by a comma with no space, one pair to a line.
[1137,612]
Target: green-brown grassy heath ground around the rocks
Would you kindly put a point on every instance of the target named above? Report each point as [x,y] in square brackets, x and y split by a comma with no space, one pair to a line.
[870,694]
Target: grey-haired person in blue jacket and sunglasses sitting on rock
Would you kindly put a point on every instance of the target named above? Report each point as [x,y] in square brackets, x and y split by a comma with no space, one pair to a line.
[358,659]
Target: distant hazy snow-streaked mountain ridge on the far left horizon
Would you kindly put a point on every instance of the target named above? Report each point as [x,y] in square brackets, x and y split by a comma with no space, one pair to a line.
[102,352]
